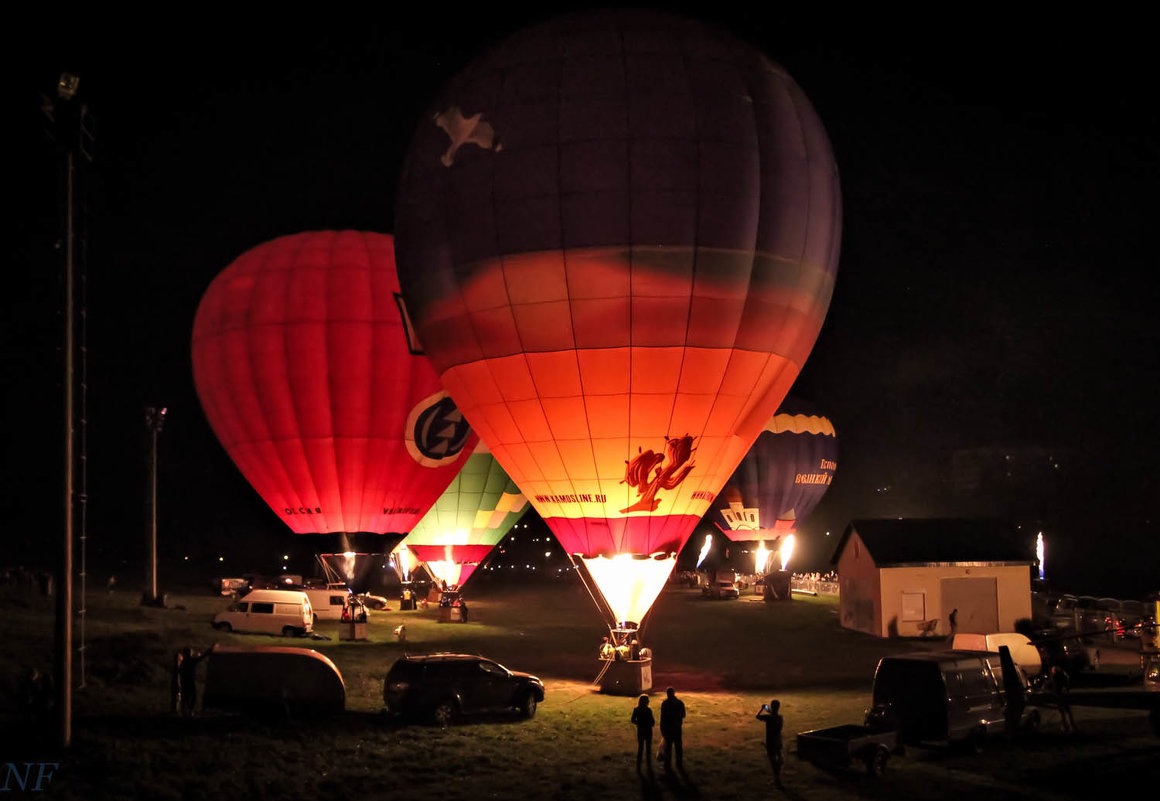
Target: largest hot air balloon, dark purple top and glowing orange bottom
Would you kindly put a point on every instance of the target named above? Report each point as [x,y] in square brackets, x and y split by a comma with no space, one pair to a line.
[618,236]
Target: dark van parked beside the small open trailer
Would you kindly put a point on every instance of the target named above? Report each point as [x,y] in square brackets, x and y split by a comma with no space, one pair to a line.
[958,697]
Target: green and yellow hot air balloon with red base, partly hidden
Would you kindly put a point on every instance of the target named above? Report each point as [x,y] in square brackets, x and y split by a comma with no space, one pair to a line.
[473,515]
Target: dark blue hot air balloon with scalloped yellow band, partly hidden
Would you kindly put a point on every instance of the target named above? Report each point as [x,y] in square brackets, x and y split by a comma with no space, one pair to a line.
[780,480]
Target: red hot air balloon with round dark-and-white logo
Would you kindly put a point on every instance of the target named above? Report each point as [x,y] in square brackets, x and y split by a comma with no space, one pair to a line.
[307,374]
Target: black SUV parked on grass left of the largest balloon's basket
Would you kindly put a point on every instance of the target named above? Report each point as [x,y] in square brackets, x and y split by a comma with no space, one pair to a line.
[446,687]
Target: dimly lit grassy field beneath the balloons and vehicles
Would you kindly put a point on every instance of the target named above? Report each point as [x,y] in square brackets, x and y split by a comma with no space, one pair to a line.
[724,659]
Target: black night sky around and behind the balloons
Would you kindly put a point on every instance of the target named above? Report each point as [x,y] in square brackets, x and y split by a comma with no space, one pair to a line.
[996,288]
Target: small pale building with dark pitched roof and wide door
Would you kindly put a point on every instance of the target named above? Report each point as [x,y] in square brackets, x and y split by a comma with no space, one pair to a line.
[904,578]
